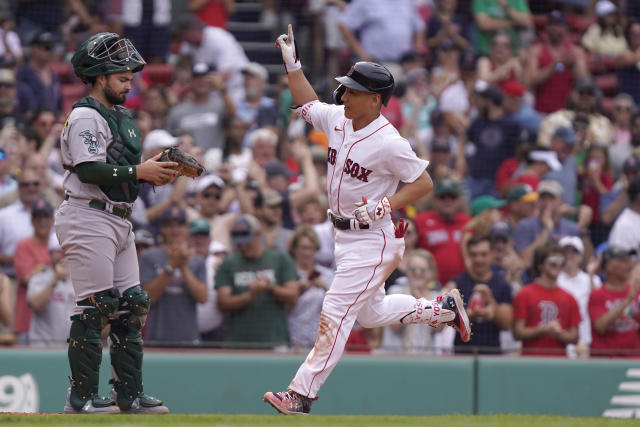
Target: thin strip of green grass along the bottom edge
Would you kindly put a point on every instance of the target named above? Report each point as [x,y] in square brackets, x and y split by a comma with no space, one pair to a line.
[51,420]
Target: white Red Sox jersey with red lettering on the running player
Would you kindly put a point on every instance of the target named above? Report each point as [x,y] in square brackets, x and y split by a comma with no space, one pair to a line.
[369,162]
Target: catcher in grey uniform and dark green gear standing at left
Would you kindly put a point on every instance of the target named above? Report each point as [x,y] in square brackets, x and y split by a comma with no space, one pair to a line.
[101,151]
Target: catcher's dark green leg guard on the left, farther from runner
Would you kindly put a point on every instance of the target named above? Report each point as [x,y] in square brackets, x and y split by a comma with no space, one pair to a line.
[85,348]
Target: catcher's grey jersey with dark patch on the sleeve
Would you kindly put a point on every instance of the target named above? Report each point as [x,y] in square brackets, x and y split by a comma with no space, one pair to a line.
[85,138]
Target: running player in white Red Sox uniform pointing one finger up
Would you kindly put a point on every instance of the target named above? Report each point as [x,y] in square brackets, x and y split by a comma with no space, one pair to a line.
[367,159]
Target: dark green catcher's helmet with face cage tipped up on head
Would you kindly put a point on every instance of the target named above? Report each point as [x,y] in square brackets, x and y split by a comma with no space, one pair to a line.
[106,53]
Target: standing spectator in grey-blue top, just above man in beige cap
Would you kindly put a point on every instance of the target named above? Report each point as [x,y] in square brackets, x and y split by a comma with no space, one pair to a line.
[563,143]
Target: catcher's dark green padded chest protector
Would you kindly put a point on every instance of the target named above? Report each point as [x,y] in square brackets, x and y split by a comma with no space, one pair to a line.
[125,148]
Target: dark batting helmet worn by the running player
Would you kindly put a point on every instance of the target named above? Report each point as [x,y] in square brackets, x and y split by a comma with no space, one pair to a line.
[366,77]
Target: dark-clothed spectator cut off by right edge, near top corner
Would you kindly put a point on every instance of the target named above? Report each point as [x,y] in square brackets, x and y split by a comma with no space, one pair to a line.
[628,70]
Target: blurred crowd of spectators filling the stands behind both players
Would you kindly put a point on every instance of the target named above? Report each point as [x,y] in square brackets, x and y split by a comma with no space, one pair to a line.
[529,113]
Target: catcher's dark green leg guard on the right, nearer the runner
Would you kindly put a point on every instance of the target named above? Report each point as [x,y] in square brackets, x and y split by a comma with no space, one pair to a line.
[126,345]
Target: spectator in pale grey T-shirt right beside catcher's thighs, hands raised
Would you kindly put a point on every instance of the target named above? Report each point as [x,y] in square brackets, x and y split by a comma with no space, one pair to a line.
[50,294]
